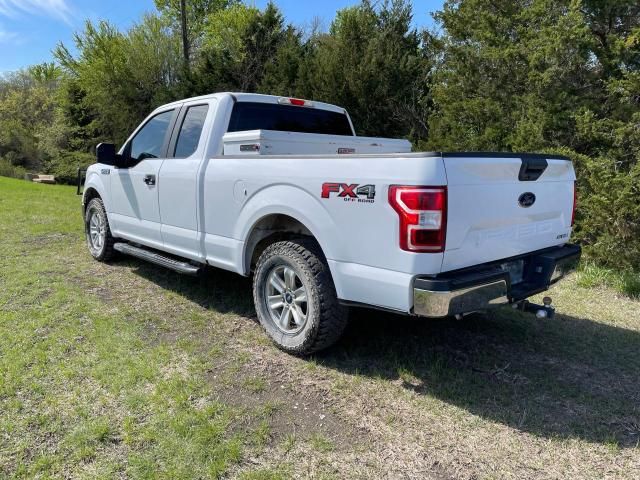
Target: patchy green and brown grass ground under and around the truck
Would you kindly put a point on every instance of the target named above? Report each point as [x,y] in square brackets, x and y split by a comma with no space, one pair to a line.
[130,371]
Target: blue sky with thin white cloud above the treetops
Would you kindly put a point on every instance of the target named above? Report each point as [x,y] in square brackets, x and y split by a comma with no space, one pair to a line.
[30,29]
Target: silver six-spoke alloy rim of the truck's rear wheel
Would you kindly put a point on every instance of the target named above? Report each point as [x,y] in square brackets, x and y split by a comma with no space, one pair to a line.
[286,299]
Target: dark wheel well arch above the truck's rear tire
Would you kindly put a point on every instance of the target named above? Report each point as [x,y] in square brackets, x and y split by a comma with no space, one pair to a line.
[269,229]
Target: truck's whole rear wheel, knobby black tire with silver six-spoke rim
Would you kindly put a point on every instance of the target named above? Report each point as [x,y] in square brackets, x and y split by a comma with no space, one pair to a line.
[295,298]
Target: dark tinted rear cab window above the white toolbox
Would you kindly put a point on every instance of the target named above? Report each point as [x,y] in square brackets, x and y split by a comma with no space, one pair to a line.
[287,118]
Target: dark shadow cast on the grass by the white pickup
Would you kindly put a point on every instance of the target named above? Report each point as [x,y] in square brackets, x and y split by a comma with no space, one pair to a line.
[562,378]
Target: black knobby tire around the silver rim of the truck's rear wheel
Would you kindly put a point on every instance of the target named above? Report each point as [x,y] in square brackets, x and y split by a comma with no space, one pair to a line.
[325,318]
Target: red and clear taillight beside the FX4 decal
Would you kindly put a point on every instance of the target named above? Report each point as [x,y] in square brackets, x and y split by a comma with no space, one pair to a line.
[423,217]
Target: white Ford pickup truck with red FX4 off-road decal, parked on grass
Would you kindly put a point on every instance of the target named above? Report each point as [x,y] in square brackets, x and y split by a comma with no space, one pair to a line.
[281,188]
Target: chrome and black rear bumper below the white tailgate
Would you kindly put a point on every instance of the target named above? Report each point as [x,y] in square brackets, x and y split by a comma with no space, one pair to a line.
[489,285]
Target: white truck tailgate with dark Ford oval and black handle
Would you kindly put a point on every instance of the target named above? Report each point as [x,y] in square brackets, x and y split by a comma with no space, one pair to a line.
[498,206]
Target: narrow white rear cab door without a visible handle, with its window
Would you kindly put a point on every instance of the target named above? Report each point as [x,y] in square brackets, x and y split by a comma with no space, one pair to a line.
[179,188]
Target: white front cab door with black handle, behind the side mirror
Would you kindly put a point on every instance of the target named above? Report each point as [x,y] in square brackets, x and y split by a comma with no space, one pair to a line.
[134,190]
